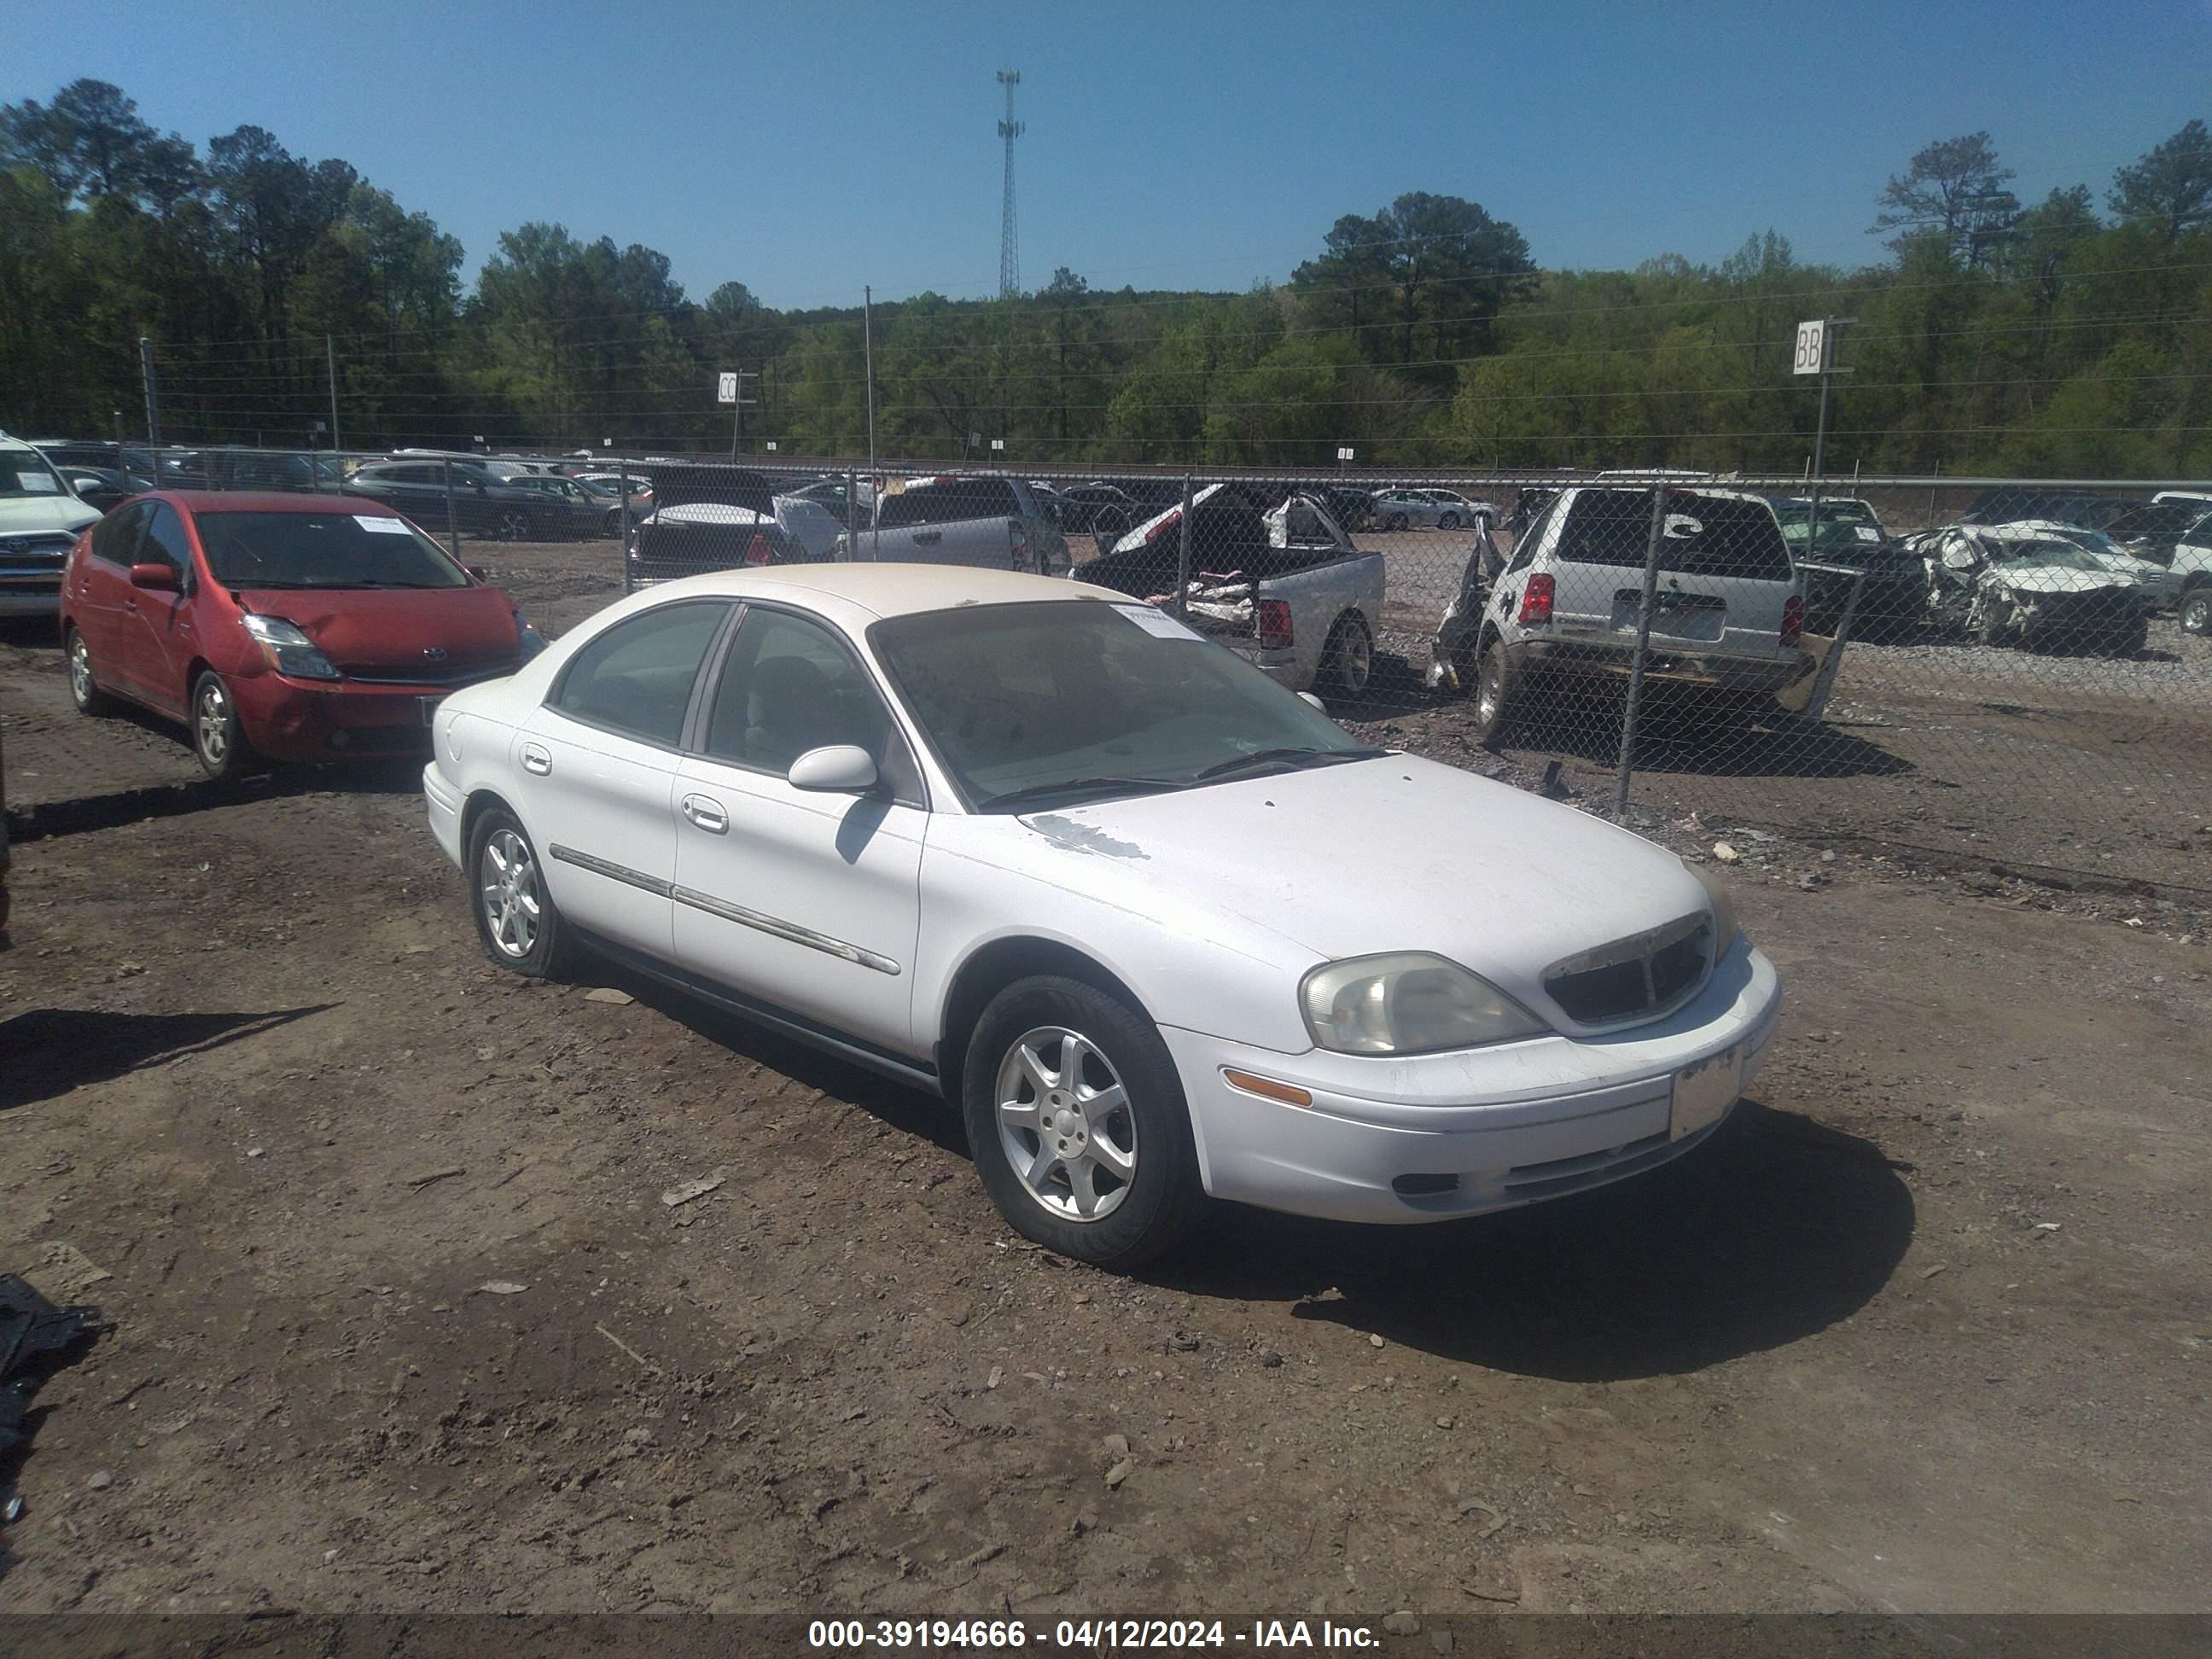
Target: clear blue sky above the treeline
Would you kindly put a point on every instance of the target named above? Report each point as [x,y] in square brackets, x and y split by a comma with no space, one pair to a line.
[811,149]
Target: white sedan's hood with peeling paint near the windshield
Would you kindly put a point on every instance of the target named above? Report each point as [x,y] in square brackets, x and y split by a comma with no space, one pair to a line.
[1390,855]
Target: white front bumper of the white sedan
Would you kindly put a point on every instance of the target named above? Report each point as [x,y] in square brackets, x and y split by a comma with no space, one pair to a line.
[1474,1131]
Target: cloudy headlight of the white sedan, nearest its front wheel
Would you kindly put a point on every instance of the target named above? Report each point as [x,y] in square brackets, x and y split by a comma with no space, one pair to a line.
[1408,1005]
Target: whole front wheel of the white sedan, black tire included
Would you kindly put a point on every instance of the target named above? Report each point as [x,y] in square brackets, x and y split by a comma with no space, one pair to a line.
[1054,1039]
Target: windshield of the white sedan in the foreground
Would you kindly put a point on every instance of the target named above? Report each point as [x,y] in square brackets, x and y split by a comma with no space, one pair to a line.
[1032,705]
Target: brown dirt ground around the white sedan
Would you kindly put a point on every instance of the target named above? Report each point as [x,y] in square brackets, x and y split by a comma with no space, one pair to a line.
[404,1322]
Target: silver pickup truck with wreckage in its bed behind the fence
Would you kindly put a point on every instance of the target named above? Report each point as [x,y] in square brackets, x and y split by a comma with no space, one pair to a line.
[1284,587]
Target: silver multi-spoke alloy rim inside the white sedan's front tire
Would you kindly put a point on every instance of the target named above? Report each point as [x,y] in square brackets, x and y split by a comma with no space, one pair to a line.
[1065,1125]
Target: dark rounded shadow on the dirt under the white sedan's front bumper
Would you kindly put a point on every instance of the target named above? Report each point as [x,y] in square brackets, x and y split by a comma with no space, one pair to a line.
[1773,1231]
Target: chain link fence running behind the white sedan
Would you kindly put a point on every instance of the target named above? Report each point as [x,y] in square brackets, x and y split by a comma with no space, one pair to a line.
[2003,671]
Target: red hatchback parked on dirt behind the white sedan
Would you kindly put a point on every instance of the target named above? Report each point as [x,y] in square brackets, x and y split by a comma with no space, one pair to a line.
[280,627]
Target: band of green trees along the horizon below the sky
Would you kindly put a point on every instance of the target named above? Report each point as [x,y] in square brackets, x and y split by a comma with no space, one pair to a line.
[1996,337]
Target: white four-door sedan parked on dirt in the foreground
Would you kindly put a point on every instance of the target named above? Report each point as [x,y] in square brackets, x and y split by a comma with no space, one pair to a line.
[1158,928]
